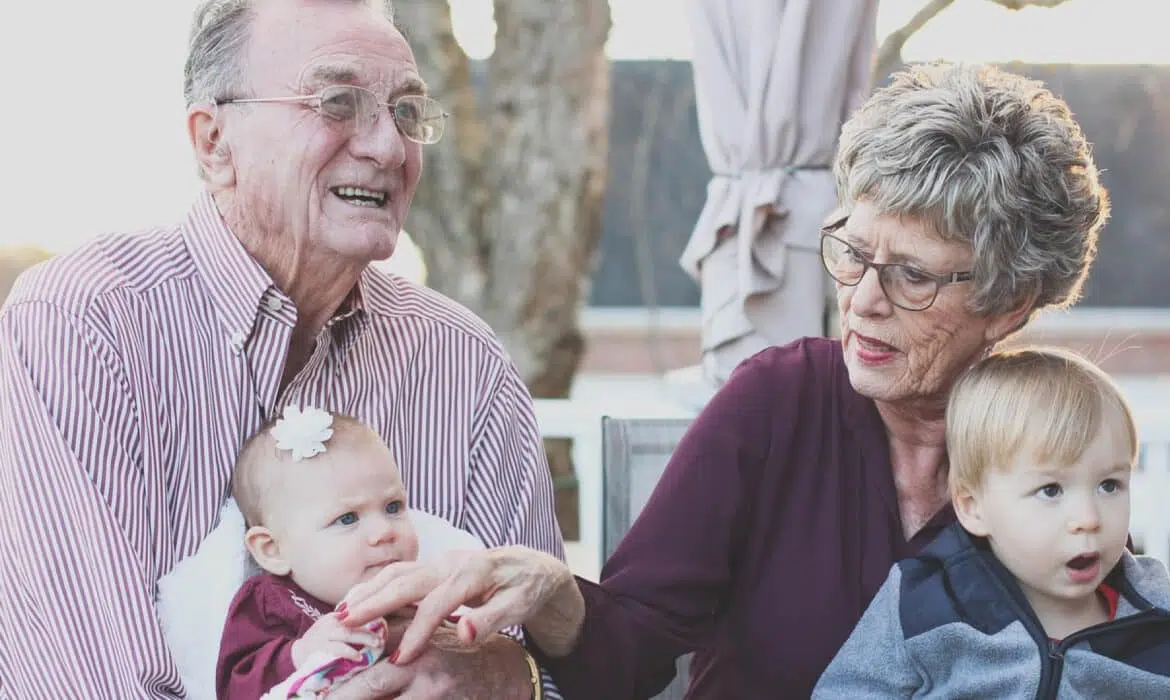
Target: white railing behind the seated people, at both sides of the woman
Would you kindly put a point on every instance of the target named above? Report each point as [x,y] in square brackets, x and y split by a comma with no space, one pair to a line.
[581,420]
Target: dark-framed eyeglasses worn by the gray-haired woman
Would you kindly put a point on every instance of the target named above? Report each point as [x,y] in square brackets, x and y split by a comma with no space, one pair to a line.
[905,286]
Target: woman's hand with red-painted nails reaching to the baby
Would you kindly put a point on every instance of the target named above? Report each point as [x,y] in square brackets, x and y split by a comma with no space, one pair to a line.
[504,587]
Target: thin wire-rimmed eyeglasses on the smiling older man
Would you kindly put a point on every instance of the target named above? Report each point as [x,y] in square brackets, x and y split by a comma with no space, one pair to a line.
[418,118]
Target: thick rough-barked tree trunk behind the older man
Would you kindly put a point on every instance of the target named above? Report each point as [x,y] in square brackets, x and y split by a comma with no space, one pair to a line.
[510,210]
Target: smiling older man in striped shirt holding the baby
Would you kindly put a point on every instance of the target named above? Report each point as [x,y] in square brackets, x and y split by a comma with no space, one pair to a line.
[133,369]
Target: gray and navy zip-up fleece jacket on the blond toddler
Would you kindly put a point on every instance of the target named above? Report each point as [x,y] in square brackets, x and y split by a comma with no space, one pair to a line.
[953,623]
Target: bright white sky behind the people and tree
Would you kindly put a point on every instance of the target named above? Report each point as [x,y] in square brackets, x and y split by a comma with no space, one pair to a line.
[94,125]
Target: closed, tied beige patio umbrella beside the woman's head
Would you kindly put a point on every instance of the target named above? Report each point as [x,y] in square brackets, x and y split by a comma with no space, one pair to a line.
[775,81]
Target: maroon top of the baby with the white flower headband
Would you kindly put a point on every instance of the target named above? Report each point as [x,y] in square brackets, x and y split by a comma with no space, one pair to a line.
[266,617]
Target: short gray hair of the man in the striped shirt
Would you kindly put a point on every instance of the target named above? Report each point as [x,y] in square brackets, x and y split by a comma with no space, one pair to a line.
[216,53]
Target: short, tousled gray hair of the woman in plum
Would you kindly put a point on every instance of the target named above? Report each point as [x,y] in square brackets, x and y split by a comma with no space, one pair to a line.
[988,159]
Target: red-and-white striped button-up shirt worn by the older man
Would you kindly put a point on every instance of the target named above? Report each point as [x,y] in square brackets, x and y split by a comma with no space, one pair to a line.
[132,373]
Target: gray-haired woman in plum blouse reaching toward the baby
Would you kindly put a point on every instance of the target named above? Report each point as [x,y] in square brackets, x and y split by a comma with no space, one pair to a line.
[969,203]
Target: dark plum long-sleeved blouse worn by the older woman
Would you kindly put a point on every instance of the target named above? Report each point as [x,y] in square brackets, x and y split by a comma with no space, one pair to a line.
[773,527]
